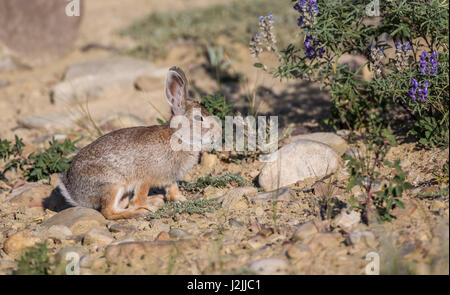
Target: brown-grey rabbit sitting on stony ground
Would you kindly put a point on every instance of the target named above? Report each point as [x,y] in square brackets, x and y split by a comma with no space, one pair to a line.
[132,160]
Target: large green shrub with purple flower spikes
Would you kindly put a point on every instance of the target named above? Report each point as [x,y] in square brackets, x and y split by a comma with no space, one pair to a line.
[418,85]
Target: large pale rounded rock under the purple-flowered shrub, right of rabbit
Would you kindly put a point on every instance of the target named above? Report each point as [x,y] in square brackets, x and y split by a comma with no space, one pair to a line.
[297,161]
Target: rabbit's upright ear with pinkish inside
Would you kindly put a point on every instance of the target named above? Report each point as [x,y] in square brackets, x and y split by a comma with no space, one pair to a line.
[176,90]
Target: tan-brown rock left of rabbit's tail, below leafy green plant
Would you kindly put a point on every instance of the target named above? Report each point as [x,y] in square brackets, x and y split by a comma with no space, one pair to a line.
[30,195]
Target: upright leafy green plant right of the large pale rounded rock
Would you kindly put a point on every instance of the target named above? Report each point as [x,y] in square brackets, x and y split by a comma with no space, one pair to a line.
[365,172]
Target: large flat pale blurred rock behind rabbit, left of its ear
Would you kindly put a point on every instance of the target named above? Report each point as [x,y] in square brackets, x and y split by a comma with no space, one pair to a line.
[89,79]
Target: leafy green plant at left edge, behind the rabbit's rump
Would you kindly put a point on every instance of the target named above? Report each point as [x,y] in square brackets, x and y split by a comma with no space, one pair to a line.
[40,165]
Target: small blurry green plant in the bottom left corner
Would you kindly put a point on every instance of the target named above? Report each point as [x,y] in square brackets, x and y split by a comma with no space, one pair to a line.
[35,261]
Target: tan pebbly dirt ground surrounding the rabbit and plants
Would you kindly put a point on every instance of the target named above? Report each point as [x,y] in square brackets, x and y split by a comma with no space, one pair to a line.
[230,239]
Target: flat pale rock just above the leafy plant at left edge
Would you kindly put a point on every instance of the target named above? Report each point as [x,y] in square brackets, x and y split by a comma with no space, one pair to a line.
[50,121]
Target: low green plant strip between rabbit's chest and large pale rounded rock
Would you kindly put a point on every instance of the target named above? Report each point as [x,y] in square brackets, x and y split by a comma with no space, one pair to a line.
[218,181]
